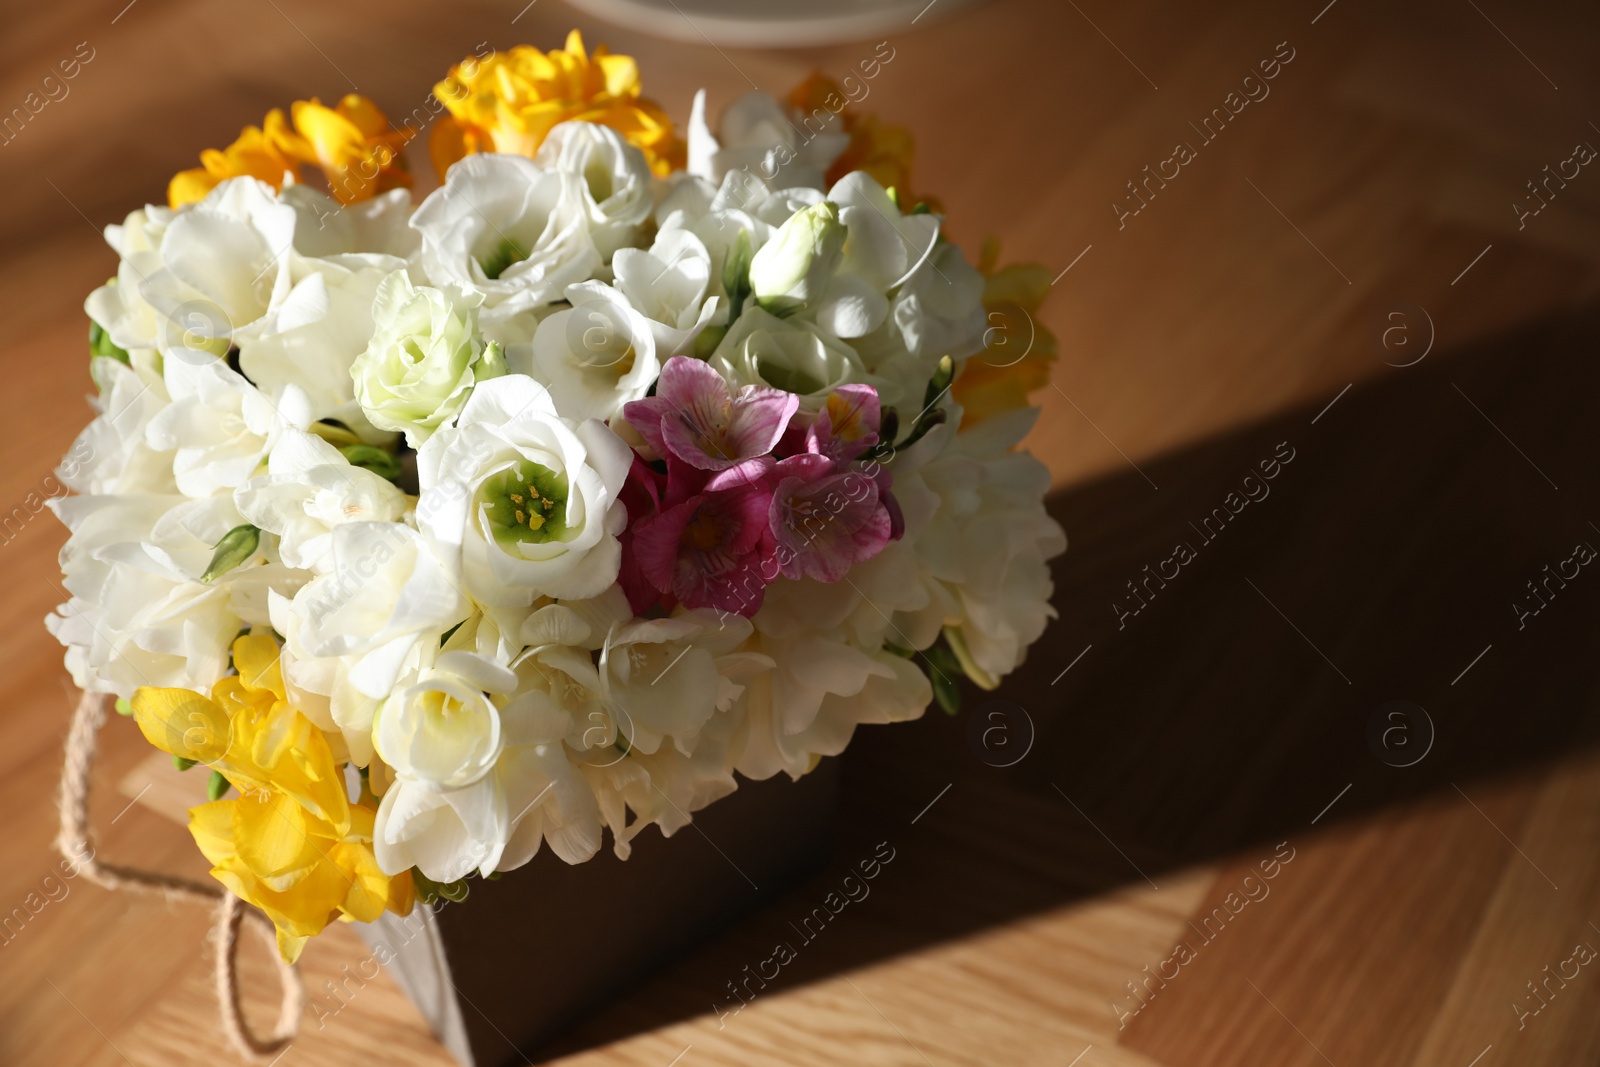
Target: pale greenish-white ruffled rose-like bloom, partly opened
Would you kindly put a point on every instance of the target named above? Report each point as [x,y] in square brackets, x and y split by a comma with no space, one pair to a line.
[423,359]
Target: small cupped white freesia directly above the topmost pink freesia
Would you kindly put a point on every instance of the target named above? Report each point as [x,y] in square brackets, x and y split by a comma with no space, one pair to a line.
[671,287]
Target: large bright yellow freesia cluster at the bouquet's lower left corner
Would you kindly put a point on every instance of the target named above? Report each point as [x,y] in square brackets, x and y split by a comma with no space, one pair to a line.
[292,844]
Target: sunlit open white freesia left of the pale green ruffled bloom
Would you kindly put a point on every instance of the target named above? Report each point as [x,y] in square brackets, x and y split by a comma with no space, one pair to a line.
[220,425]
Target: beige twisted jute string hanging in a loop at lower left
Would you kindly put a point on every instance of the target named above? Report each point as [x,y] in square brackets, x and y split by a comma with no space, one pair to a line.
[76,844]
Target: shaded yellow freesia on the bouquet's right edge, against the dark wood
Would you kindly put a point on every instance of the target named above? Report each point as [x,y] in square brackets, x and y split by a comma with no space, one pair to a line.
[1018,350]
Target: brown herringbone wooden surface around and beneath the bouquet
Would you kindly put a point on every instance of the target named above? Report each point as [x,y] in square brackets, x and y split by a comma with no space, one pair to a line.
[1180,751]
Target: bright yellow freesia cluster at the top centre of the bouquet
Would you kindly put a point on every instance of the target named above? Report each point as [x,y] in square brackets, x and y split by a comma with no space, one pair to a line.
[511,100]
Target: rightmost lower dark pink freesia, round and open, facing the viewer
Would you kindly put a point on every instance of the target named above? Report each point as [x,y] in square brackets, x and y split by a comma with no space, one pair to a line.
[826,518]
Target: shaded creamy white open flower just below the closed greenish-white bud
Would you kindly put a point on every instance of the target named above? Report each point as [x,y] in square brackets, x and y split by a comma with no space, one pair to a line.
[788,354]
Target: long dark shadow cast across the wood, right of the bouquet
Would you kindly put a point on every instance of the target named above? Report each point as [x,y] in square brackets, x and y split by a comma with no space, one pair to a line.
[1191,705]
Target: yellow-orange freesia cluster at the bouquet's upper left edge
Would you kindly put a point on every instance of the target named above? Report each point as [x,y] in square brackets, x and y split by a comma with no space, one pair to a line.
[353,145]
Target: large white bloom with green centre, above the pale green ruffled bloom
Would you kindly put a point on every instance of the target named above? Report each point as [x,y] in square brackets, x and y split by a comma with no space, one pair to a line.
[508,228]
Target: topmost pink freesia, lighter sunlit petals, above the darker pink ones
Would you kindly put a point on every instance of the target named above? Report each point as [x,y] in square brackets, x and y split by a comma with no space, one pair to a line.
[697,420]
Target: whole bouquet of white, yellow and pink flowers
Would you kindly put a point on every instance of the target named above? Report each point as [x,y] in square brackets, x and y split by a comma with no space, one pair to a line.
[617,466]
